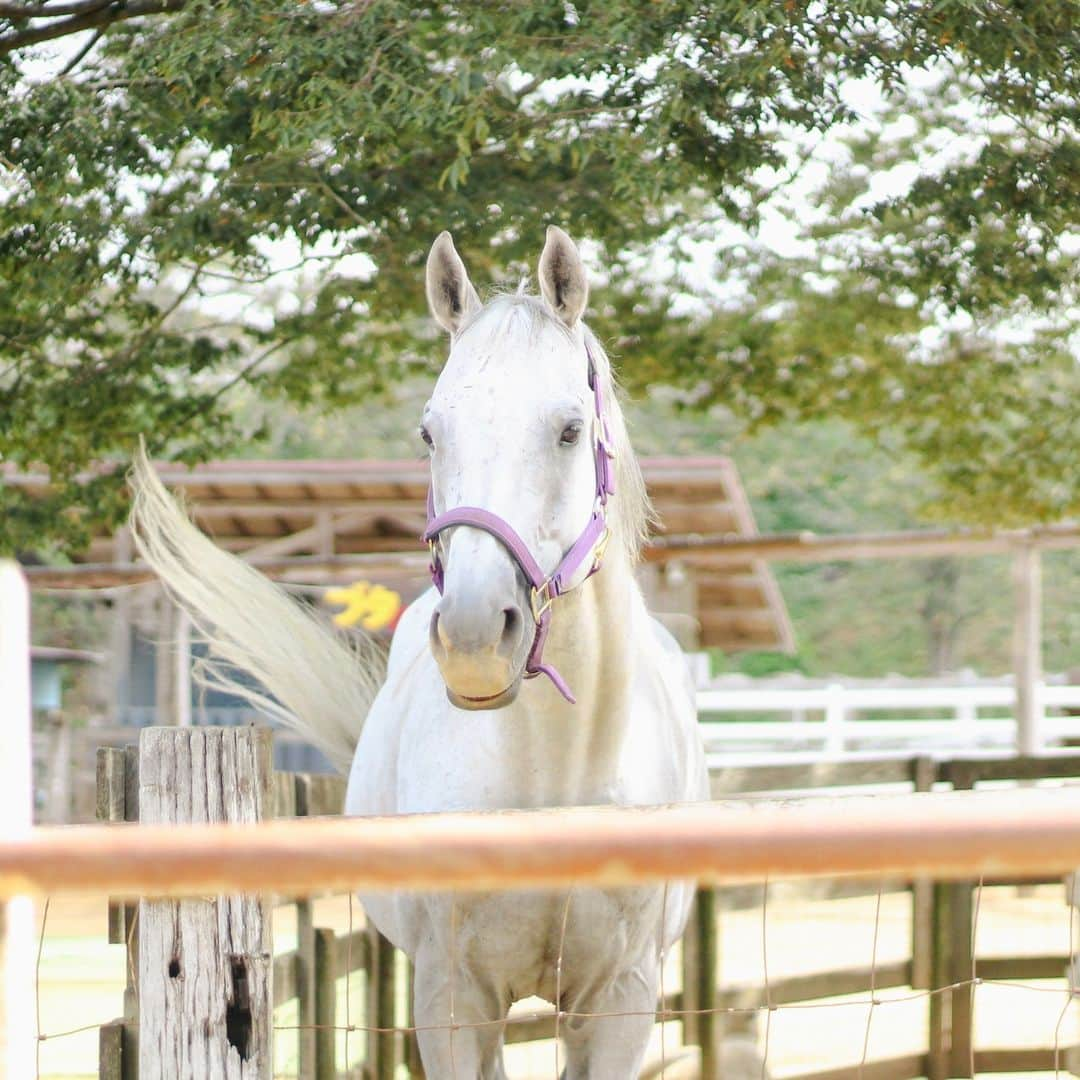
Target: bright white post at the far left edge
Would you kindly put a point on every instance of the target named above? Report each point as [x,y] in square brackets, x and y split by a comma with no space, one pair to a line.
[17,916]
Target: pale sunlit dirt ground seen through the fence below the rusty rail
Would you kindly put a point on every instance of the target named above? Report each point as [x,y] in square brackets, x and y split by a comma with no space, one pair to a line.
[82,983]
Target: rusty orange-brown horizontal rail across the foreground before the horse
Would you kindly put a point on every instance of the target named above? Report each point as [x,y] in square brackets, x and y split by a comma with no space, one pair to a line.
[1021,833]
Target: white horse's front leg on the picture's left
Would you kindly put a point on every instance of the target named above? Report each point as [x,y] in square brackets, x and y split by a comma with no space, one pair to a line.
[461,1024]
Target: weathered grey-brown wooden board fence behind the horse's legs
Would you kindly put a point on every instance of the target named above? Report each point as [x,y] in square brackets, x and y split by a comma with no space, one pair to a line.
[941,963]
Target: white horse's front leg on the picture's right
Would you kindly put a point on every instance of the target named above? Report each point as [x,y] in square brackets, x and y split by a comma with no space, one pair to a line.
[612,1047]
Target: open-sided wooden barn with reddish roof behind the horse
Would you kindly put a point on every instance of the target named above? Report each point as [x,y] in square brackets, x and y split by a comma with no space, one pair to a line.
[344,531]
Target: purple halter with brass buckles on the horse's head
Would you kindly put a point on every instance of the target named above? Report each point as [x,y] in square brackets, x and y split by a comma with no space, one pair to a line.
[544,589]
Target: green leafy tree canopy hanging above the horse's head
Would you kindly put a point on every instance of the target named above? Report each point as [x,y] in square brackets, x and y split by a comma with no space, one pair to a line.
[156,185]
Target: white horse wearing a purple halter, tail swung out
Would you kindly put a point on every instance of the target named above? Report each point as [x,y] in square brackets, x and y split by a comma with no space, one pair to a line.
[521,428]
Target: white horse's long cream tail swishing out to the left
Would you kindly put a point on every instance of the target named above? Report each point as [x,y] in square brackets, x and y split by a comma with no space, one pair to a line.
[306,677]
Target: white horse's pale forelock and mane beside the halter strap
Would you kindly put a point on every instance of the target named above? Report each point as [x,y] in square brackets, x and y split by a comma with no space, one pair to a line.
[632,514]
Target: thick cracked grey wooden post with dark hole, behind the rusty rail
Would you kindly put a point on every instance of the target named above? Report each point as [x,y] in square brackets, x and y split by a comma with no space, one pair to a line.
[206,966]
